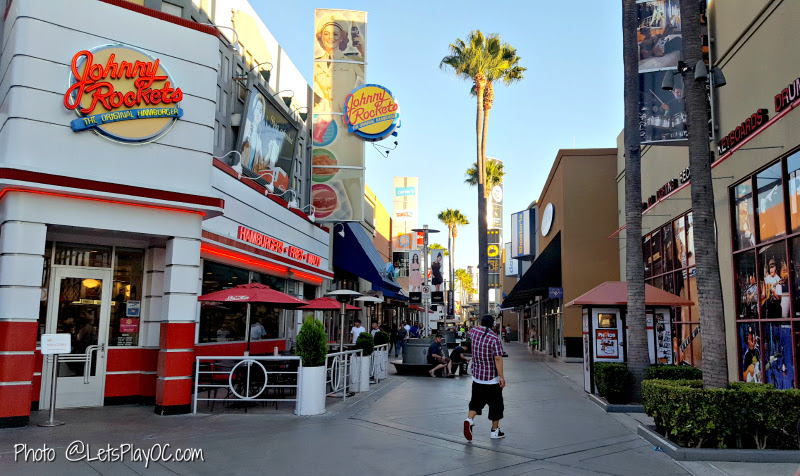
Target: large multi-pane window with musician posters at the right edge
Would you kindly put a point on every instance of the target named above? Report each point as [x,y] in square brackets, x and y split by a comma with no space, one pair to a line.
[768,330]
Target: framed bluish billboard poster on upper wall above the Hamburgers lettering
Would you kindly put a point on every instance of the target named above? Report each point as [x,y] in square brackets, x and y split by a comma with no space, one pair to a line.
[267,141]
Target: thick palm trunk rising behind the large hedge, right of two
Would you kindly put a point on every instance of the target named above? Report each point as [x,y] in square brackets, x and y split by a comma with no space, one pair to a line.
[709,285]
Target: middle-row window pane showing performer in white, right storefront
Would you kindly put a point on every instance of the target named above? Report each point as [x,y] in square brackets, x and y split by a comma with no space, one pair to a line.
[774,281]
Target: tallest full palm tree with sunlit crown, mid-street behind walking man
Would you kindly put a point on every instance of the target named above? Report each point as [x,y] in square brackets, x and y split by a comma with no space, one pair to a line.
[482,60]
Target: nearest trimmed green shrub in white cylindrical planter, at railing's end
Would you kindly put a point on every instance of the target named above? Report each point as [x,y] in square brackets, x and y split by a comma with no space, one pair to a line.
[312,348]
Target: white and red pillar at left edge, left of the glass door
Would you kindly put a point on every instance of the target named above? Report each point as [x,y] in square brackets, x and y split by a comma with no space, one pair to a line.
[21,263]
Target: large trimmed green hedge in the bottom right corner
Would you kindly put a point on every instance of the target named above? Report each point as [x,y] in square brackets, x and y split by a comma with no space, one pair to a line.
[741,416]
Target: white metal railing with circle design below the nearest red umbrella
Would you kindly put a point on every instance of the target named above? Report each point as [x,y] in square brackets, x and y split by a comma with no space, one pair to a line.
[247,379]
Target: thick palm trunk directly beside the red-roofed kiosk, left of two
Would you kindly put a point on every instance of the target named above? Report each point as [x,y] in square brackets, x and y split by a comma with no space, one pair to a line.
[638,354]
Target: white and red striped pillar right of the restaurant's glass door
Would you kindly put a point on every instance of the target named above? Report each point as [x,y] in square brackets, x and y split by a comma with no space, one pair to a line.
[176,338]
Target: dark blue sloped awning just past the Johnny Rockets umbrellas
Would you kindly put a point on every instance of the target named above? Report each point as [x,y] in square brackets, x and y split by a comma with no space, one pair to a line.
[356,254]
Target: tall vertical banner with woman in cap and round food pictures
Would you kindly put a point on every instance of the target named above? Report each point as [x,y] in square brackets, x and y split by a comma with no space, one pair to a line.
[340,52]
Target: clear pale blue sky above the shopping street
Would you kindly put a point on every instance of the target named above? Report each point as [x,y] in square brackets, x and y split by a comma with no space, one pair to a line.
[571,94]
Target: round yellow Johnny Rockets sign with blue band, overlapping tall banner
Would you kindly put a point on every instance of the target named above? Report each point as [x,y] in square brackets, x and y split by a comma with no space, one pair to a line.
[371,112]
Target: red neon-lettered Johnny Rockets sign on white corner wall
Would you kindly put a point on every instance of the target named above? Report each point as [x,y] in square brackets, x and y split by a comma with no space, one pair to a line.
[123,94]
